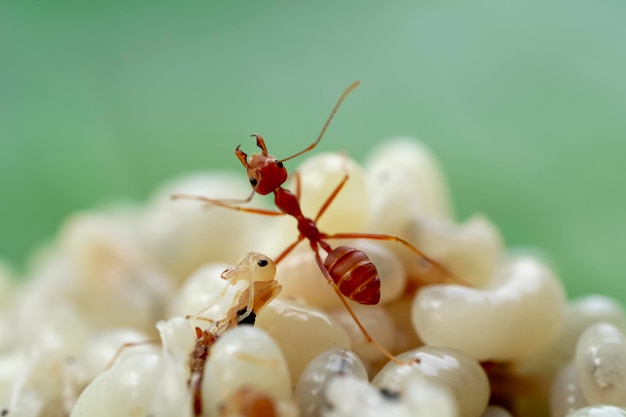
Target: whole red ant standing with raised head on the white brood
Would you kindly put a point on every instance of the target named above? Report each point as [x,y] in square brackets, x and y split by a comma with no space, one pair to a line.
[348,270]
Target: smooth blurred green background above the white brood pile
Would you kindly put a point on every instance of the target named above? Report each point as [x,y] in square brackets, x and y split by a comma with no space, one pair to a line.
[524,103]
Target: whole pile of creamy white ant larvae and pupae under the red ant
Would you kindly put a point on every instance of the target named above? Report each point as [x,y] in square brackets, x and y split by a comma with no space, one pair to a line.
[100,325]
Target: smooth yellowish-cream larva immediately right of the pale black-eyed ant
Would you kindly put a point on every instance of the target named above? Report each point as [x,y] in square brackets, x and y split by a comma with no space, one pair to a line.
[301,332]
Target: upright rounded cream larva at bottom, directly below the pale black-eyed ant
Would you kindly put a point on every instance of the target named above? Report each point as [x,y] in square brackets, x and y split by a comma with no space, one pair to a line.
[244,356]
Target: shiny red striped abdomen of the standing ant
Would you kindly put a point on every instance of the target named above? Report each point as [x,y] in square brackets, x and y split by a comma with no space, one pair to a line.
[354,274]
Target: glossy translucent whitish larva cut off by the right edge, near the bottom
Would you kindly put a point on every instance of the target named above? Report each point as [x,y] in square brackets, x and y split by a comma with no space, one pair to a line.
[601,364]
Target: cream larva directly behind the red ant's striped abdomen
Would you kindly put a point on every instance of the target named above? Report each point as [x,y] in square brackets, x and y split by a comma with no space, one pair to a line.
[301,278]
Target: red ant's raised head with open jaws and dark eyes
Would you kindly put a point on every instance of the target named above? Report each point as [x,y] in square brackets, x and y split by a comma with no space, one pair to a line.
[265,172]
